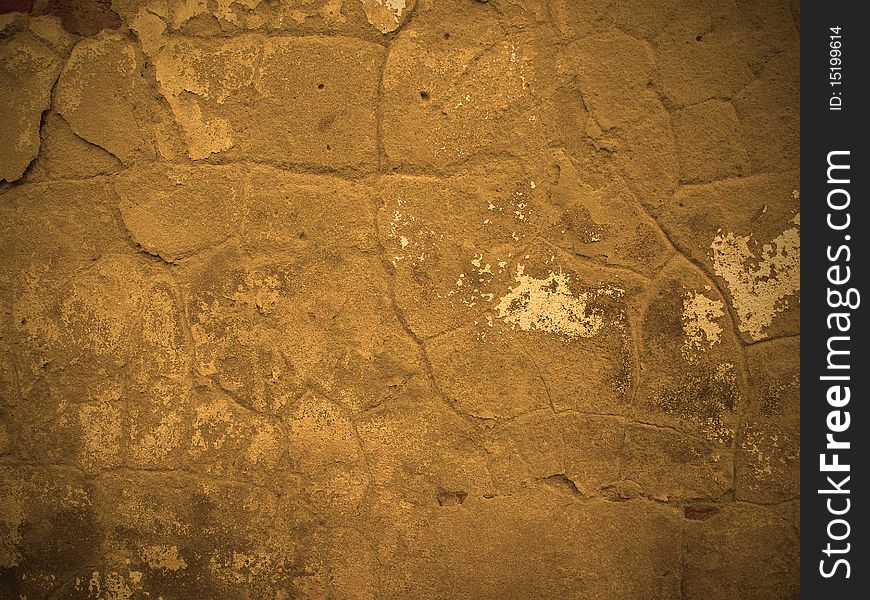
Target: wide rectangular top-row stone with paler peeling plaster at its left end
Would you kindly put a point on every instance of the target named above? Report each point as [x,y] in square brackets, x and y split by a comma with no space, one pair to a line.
[306,101]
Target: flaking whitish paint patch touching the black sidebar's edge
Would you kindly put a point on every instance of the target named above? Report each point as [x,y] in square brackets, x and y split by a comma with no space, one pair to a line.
[759,283]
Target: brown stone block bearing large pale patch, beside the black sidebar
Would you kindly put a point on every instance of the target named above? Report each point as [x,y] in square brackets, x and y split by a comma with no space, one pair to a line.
[752,250]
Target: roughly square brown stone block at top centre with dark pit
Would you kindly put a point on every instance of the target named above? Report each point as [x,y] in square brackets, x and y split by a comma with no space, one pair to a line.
[453,92]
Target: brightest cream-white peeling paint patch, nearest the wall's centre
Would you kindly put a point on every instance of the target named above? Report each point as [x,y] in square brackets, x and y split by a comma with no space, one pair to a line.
[549,305]
